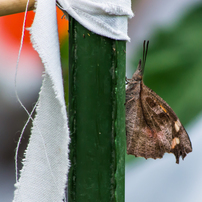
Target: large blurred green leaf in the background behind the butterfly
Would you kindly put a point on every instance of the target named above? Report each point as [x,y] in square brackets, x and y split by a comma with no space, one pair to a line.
[174,66]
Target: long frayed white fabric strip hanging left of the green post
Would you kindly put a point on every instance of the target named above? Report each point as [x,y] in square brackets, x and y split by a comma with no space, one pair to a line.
[44,173]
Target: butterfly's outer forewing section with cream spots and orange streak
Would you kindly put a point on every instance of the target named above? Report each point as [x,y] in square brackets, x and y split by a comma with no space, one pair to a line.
[168,122]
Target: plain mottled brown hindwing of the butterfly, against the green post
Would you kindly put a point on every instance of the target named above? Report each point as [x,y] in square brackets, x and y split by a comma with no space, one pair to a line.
[144,135]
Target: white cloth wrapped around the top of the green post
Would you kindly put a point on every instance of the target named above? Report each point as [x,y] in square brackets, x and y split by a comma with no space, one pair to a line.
[108,18]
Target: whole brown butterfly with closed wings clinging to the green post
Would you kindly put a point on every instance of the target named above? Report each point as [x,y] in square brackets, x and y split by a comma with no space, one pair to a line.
[152,127]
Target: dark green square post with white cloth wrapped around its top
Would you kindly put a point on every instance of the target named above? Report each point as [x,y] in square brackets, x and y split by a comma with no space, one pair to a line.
[96,116]
